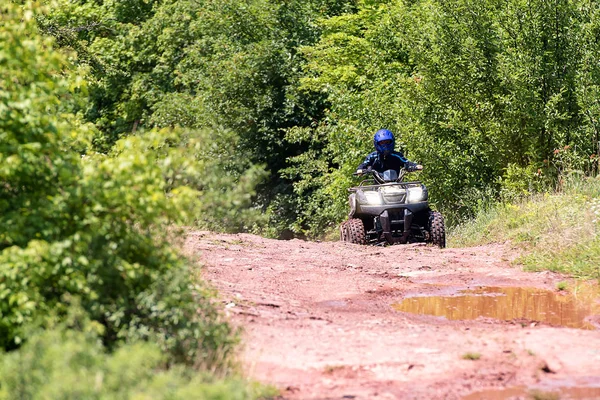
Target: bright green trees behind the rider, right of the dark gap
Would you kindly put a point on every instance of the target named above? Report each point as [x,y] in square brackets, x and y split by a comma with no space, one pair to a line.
[481,93]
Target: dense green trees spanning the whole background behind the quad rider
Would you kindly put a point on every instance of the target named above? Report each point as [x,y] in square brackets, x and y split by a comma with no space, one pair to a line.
[480,92]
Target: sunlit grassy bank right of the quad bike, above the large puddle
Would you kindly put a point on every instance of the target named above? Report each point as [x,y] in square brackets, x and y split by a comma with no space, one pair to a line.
[557,231]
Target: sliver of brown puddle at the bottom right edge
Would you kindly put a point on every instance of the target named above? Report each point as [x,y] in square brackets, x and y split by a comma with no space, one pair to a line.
[524,393]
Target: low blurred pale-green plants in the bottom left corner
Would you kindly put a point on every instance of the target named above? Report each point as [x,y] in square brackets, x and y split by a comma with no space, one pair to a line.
[69,362]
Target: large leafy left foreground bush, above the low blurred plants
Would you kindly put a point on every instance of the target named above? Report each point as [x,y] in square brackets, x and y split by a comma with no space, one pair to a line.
[89,226]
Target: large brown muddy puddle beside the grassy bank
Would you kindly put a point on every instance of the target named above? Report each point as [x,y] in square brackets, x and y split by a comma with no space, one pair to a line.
[509,303]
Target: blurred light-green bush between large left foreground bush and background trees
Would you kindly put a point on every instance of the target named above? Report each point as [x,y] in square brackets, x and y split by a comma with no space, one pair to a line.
[204,170]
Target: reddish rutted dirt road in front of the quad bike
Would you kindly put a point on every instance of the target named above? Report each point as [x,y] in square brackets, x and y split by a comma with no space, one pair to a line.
[324,321]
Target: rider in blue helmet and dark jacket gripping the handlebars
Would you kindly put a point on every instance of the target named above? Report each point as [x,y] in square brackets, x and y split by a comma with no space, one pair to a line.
[383,159]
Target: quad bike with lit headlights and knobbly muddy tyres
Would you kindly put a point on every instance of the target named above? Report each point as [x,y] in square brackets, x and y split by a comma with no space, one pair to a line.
[381,206]
